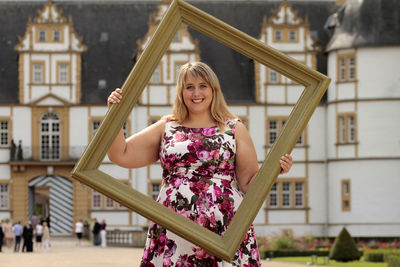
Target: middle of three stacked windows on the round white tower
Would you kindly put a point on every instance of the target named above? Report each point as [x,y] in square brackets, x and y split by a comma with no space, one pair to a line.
[346,128]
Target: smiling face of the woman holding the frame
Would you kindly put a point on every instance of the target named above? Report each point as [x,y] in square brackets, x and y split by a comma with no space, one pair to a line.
[197,95]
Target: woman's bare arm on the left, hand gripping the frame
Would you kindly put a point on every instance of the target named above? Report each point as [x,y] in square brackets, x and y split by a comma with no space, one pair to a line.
[141,149]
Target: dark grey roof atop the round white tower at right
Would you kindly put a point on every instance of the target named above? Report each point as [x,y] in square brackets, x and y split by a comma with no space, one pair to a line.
[361,23]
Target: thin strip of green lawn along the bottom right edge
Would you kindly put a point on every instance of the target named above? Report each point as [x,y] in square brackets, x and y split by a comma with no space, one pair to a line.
[320,262]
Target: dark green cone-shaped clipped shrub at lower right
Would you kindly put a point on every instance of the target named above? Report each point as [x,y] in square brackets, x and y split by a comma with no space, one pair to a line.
[344,248]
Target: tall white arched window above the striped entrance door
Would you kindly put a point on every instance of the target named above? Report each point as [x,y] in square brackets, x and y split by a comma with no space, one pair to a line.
[50,136]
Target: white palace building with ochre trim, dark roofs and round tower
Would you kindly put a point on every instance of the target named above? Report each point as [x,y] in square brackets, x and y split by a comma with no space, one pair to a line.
[60,61]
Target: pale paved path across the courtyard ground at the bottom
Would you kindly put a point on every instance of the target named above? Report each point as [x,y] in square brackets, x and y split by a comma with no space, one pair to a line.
[64,252]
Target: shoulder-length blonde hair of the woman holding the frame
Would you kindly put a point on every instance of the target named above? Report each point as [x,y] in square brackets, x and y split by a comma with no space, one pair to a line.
[219,109]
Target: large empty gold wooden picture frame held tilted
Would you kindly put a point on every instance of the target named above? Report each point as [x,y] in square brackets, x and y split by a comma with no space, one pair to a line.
[224,247]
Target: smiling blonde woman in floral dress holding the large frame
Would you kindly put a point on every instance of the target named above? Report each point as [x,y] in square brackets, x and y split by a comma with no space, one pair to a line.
[203,149]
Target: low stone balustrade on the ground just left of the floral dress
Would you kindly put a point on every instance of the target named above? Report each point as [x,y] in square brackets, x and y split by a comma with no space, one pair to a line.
[119,238]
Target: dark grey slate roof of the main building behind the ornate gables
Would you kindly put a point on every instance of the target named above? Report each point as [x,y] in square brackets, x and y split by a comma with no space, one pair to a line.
[126,22]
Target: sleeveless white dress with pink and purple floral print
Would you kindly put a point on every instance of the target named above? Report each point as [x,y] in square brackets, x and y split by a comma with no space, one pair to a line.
[198,174]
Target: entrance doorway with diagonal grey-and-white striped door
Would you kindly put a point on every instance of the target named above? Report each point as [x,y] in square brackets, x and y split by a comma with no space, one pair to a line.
[53,197]
